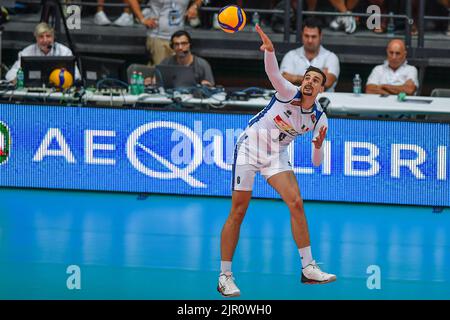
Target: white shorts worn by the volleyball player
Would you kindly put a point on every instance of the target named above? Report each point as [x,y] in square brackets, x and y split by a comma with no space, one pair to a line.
[244,172]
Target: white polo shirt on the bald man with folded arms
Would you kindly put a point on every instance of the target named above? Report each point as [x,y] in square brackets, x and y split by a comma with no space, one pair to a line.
[383,74]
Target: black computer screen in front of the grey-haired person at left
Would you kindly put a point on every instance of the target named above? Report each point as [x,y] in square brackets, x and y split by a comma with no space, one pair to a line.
[37,69]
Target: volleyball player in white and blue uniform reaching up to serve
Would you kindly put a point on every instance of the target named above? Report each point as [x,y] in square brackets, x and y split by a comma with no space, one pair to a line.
[262,147]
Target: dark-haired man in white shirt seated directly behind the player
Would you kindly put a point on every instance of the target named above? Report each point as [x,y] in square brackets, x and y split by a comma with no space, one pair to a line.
[295,62]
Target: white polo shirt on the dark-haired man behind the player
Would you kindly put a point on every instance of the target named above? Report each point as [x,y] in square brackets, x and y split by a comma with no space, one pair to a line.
[296,62]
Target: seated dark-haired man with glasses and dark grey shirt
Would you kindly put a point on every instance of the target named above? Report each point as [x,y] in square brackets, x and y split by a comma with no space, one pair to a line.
[181,44]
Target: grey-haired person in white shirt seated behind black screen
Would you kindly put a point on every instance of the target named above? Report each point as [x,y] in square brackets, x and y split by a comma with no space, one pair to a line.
[45,46]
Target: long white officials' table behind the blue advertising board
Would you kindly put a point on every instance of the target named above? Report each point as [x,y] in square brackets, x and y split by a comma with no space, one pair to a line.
[339,103]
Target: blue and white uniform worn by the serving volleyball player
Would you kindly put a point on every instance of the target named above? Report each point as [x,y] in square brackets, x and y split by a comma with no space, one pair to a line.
[263,146]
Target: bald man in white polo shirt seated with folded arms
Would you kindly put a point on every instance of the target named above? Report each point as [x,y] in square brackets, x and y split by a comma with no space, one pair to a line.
[395,75]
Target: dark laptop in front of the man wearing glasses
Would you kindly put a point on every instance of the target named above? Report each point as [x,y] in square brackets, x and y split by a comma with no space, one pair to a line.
[172,76]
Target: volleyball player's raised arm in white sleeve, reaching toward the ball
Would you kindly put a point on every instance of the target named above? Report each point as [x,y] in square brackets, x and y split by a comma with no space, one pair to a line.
[286,91]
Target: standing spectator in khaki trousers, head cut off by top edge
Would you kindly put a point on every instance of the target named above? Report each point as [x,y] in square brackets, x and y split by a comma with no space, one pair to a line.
[164,18]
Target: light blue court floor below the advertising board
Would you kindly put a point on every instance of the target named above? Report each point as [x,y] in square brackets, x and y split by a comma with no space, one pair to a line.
[167,247]
